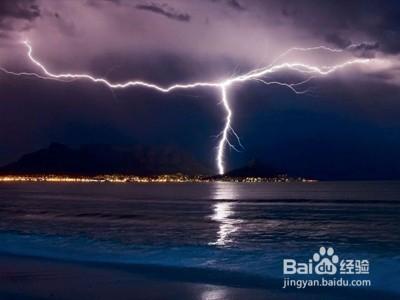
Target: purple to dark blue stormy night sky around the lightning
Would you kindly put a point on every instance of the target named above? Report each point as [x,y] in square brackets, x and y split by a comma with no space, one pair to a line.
[347,126]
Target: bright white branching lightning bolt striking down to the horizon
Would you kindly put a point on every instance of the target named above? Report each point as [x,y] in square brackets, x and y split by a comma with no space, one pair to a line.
[311,71]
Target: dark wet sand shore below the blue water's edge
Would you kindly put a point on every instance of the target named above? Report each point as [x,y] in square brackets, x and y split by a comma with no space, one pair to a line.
[33,278]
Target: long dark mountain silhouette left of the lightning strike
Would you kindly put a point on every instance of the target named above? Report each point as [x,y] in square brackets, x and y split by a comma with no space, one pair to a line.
[106,159]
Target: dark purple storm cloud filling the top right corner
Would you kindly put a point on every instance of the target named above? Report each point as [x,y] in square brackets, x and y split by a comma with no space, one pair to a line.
[341,22]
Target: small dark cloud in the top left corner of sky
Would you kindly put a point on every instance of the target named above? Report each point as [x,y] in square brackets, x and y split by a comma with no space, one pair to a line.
[20,10]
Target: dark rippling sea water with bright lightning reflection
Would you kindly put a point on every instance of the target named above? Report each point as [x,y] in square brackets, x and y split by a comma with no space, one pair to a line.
[245,228]
